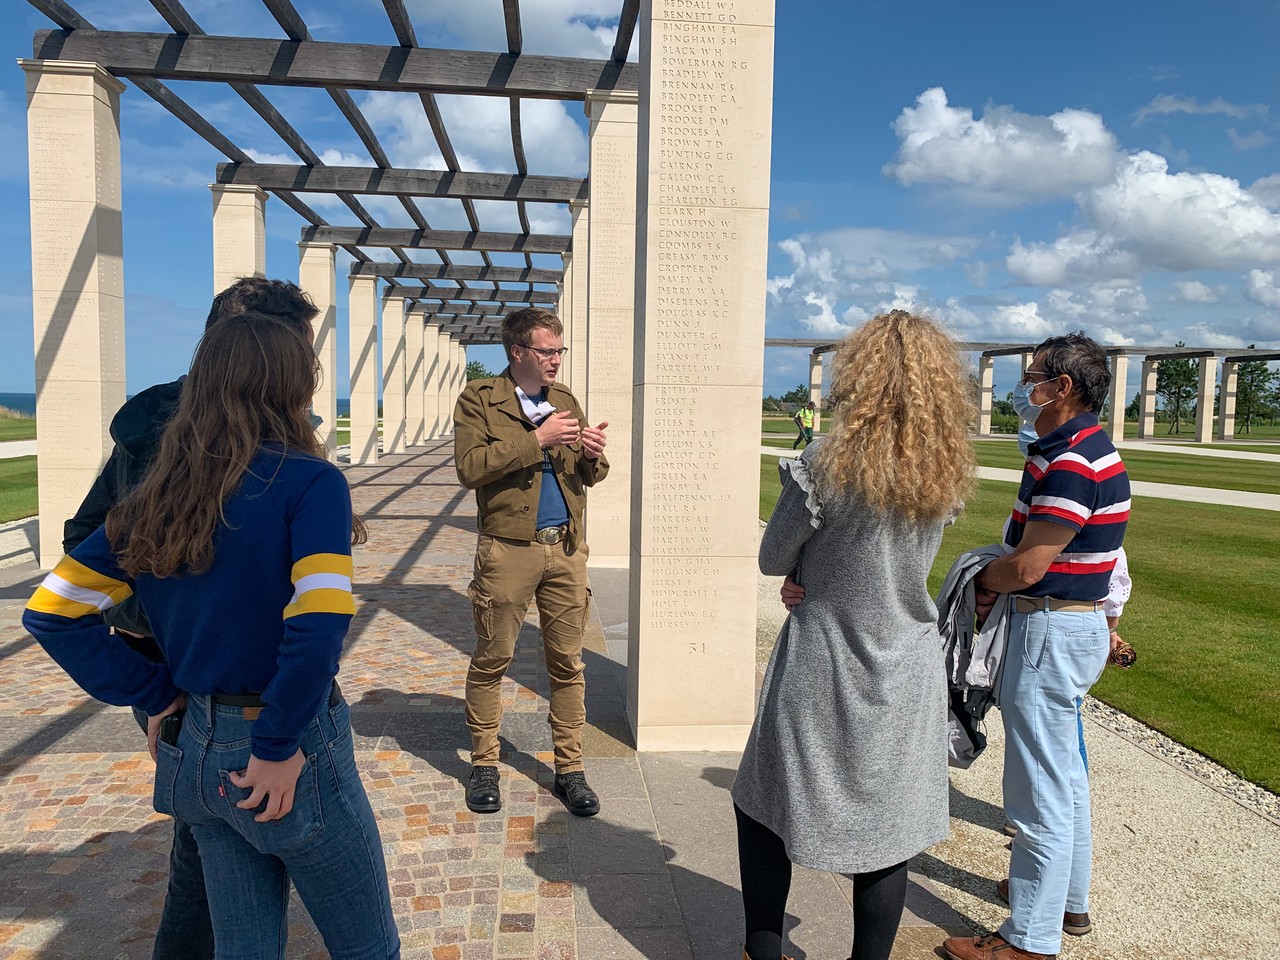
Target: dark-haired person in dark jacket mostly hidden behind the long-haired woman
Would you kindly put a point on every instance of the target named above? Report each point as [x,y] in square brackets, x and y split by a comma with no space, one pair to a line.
[186,931]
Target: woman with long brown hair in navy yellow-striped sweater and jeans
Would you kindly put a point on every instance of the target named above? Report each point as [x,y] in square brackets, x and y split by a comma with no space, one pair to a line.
[239,545]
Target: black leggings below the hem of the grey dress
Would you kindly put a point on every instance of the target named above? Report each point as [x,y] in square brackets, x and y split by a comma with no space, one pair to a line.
[879,897]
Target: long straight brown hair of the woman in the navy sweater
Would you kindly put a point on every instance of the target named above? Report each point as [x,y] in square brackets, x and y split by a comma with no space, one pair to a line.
[252,382]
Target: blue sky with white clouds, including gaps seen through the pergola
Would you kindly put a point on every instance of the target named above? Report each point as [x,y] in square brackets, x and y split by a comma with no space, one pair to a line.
[1014,170]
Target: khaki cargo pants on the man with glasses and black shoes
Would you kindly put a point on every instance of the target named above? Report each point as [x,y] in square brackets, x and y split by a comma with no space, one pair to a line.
[509,575]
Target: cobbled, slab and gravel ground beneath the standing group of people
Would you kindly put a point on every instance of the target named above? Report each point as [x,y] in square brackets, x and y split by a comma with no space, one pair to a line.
[653,876]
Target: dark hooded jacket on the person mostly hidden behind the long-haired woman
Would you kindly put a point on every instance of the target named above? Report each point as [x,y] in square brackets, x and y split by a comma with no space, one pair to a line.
[136,429]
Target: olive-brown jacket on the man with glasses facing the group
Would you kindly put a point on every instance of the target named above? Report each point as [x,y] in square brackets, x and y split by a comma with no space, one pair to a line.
[499,458]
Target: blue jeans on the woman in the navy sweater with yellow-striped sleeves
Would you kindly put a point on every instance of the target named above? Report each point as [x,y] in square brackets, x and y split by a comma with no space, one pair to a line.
[328,844]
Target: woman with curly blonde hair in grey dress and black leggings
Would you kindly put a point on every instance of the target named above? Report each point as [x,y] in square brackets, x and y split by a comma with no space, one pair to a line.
[847,766]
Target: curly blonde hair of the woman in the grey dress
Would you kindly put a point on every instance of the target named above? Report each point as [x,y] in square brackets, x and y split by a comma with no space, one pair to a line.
[902,417]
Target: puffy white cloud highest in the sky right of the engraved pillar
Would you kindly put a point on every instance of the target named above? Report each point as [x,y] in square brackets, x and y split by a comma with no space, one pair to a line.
[1005,154]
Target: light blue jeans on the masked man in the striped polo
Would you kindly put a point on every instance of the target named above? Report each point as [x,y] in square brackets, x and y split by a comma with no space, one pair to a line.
[1052,662]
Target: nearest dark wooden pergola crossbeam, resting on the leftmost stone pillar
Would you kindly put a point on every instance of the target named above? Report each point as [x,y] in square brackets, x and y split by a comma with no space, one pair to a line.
[313,63]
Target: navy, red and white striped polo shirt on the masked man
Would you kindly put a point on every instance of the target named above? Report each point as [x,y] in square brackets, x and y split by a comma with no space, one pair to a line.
[1076,478]
